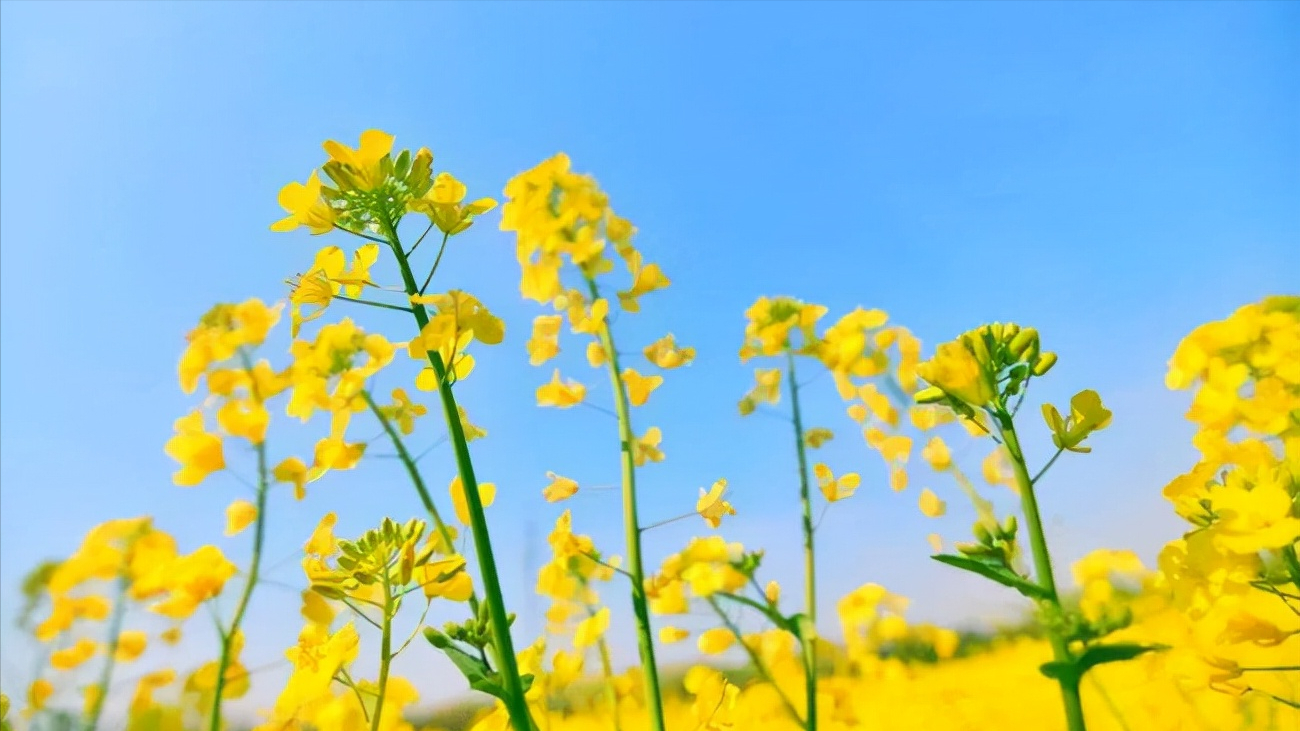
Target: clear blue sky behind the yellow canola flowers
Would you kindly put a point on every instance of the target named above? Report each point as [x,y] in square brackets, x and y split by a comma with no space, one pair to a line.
[1111,174]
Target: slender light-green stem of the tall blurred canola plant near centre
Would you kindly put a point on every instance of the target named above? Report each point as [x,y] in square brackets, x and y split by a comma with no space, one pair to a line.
[631,524]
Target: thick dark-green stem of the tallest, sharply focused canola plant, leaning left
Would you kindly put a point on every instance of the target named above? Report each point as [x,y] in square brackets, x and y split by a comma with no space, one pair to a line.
[504,647]
